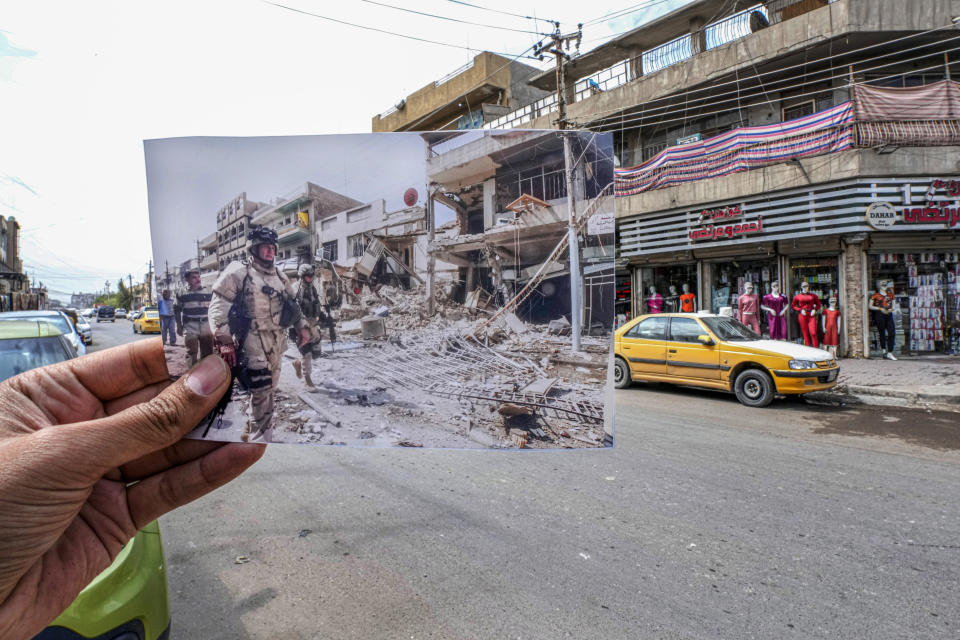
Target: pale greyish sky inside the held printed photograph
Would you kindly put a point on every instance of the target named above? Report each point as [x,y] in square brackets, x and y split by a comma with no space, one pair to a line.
[190,179]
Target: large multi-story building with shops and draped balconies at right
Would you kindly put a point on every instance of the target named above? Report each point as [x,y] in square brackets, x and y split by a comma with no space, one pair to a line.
[786,141]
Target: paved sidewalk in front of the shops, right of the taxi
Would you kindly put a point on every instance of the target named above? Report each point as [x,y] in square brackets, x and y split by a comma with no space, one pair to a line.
[928,380]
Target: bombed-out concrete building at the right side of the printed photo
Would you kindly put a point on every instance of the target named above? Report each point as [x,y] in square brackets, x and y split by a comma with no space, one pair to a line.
[508,191]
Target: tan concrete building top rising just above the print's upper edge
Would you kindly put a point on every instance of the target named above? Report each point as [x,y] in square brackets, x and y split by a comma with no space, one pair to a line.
[480,91]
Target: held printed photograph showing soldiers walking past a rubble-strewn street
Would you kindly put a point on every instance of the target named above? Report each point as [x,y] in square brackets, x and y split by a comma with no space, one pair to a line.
[450,289]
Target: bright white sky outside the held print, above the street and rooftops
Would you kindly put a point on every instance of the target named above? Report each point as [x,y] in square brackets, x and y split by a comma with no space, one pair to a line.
[83,84]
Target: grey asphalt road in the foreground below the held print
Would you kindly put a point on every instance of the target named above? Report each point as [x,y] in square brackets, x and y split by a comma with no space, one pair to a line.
[707,520]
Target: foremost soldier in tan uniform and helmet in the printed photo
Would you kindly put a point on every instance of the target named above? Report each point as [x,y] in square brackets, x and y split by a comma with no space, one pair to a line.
[262,289]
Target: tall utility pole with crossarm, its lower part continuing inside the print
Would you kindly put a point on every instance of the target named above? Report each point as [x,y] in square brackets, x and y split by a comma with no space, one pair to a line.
[558,47]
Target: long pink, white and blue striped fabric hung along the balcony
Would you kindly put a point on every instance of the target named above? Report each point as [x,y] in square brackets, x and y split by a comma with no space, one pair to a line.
[741,149]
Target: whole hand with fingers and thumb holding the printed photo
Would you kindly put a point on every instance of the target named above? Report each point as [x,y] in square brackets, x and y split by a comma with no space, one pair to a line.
[91,452]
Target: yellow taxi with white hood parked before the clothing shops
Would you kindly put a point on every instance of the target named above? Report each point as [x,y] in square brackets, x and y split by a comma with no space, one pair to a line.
[718,352]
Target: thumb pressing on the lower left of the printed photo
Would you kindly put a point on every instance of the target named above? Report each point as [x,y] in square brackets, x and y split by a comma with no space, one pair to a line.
[146,427]
